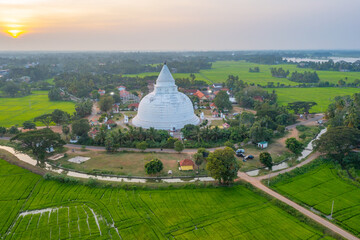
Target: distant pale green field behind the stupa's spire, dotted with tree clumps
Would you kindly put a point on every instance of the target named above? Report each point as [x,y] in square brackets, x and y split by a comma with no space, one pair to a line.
[222,69]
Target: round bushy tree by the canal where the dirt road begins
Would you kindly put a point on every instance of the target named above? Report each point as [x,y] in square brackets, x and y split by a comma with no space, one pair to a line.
[223,165]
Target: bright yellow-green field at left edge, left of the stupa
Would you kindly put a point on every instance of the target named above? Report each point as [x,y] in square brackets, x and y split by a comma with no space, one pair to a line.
[17,110]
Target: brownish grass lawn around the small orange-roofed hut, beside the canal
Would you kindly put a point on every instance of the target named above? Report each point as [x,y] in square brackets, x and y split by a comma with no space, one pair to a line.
[128,163]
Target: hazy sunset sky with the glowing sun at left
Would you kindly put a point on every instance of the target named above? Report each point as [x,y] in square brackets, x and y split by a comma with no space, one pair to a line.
[178,25]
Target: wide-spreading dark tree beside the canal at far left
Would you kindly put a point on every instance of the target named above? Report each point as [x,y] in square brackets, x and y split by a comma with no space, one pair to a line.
[39,142]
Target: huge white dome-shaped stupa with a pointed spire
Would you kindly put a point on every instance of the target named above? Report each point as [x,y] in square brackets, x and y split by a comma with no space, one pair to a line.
[165,108]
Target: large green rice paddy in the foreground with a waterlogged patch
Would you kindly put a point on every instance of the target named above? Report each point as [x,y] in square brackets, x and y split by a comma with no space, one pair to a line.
[34,208]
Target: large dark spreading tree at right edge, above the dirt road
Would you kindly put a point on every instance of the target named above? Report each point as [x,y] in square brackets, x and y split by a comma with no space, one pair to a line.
[337,143]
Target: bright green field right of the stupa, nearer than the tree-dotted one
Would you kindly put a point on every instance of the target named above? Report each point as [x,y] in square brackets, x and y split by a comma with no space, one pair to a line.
[322,96]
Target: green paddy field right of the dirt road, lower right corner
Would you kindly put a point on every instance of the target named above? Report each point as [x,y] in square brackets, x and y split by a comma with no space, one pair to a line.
[319,187]
